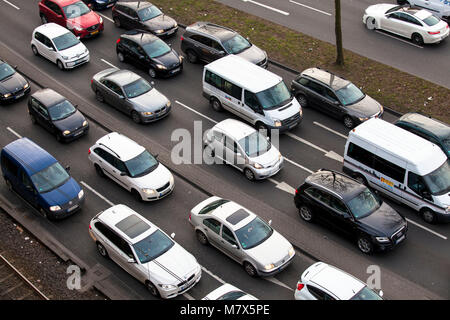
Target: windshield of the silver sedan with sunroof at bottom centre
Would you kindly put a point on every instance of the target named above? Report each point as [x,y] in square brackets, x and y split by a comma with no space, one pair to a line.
[254,233]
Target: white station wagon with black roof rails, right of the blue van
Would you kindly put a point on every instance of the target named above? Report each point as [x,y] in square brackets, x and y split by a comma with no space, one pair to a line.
[131,166]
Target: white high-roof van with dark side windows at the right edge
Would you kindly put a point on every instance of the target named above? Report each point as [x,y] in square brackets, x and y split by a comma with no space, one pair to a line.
[402,165]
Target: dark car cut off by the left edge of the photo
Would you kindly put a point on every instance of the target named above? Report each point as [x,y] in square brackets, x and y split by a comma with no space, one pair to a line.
[12,85]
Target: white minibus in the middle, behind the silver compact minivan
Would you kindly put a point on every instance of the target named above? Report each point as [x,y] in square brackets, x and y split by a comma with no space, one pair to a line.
[252,93]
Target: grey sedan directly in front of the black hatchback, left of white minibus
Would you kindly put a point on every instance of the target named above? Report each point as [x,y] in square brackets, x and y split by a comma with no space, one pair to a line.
[131,94]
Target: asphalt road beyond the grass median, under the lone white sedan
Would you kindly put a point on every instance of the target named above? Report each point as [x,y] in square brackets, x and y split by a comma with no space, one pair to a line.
[316,18]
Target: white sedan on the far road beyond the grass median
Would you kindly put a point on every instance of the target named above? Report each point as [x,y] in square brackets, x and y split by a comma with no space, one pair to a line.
[419,25]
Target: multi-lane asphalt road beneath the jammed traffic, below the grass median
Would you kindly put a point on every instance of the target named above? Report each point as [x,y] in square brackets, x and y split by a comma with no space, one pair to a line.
[419,268]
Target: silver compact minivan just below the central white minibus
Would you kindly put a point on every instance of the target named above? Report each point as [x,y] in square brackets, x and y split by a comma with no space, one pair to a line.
[244,148]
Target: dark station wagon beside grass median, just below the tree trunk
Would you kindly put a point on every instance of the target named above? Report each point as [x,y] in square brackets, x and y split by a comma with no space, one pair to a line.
[335,96]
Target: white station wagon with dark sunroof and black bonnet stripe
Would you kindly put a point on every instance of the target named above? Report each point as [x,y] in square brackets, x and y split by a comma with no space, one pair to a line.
[144,251]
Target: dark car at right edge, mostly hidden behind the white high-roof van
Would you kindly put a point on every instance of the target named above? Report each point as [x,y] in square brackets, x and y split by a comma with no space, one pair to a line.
[428,128]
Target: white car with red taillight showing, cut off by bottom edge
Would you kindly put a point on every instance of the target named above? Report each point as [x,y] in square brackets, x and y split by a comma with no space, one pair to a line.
[322,281]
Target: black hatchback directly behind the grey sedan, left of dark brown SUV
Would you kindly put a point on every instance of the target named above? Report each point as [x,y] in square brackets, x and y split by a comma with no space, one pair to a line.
[150,53]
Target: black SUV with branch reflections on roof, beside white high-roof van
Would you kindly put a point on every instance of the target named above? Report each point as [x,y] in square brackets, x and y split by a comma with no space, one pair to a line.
[352,208]
